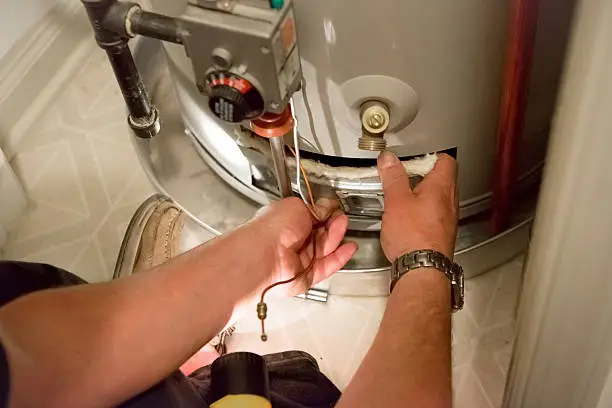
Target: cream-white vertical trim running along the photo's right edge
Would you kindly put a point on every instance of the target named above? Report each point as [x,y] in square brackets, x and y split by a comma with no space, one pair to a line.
[563,349]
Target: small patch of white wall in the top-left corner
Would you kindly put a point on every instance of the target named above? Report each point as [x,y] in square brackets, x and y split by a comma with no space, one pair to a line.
[17,17]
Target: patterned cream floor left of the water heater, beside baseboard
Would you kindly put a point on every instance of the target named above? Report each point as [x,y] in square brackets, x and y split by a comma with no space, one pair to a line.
[81,175]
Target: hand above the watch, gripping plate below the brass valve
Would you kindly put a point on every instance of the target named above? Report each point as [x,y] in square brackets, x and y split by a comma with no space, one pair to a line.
[423,218]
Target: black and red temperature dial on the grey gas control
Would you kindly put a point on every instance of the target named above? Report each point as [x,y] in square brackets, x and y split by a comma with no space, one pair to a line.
[233,98]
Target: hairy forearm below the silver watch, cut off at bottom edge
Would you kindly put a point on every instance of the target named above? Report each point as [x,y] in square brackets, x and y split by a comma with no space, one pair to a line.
[409,364]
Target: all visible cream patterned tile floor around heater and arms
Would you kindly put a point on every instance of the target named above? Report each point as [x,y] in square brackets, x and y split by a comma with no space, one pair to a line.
[84,183]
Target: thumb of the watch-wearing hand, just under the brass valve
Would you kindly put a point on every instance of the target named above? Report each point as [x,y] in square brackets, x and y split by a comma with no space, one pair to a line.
[396,183]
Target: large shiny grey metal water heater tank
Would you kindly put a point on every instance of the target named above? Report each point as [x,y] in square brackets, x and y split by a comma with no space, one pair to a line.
[437,67]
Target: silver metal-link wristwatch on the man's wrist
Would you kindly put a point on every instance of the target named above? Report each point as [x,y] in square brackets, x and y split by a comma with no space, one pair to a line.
[432,259]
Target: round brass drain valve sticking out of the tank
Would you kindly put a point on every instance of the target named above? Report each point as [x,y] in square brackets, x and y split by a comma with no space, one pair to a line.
[374,123]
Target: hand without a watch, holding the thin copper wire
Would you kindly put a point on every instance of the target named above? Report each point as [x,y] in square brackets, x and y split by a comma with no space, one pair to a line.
[291,224]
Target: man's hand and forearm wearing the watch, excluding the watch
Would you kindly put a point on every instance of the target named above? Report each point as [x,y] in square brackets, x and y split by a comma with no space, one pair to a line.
[409,363]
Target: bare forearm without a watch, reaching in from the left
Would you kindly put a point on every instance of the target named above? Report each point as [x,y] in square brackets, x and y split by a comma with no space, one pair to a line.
[111,341]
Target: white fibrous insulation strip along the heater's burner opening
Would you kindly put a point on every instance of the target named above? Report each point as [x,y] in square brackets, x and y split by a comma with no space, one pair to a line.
[420,166]
